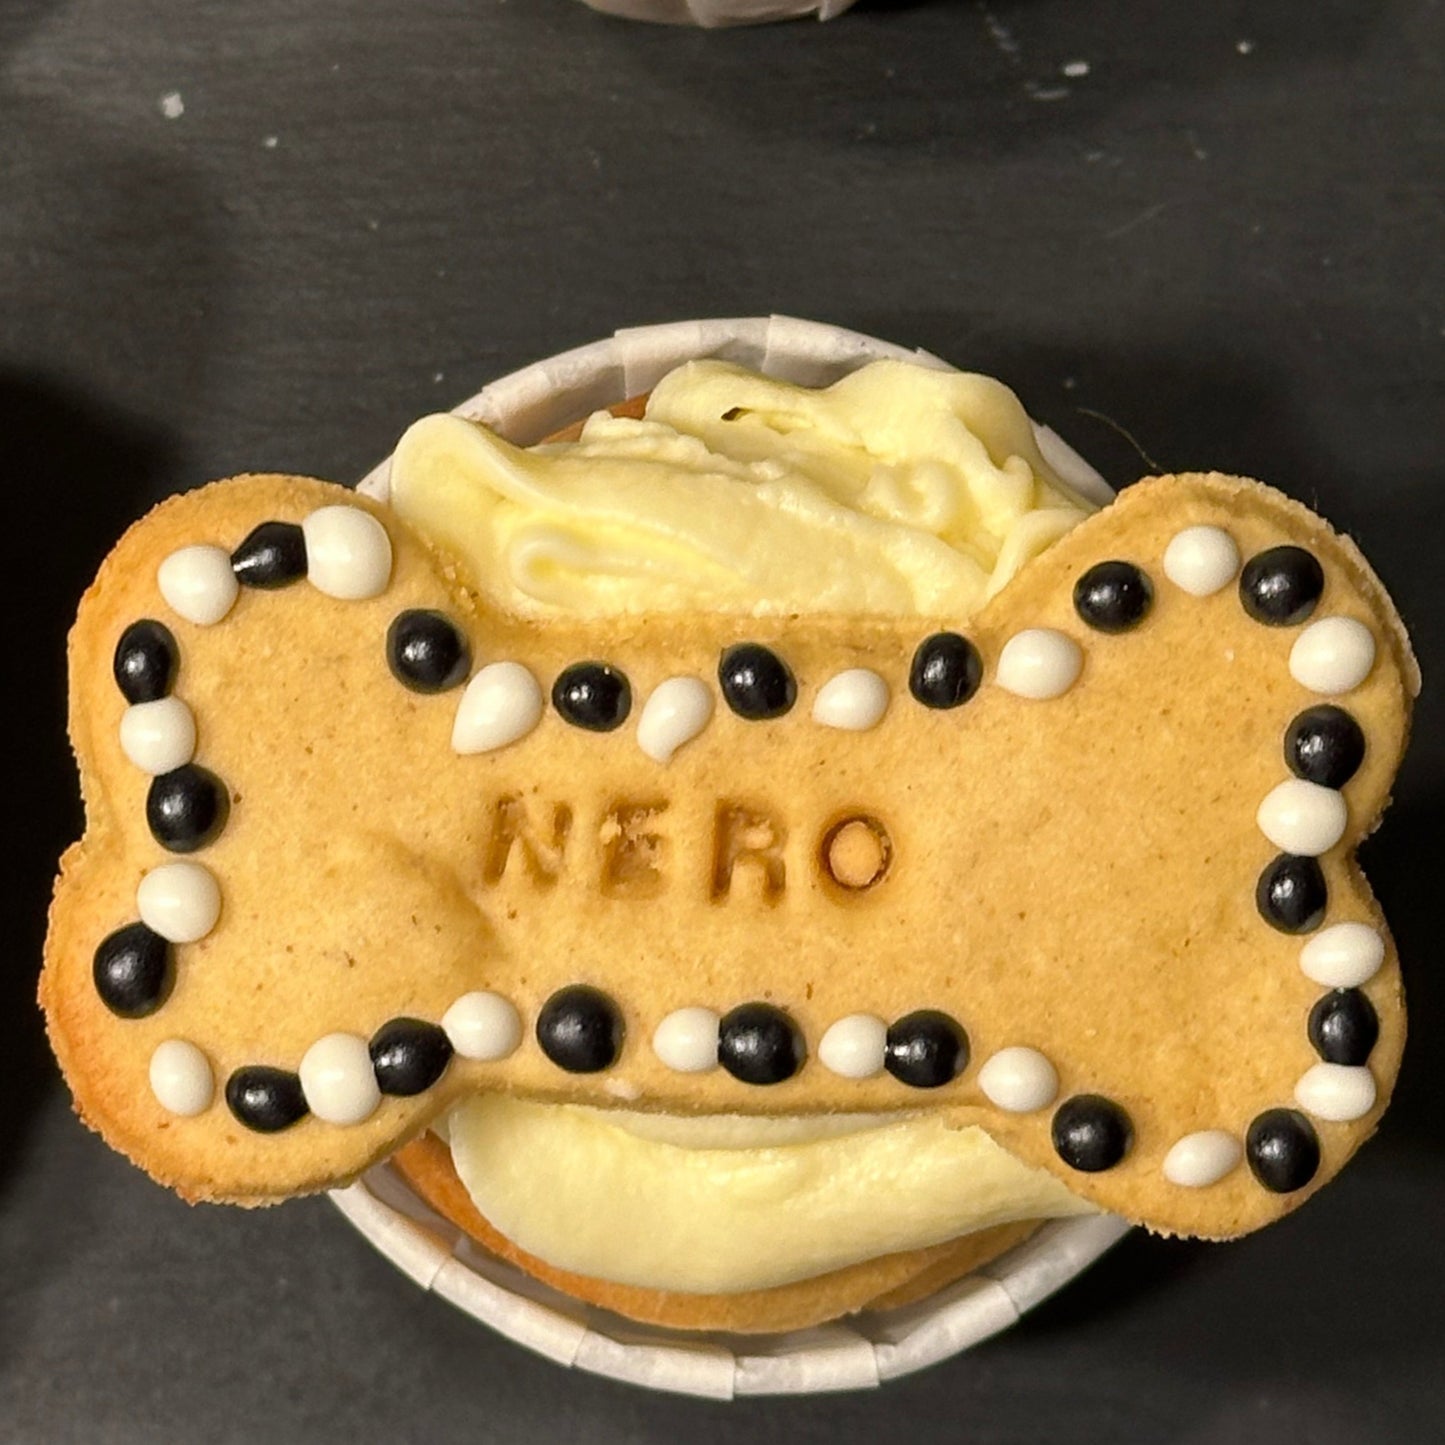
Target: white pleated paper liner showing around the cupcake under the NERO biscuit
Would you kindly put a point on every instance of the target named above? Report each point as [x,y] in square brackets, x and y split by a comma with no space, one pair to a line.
[868,1349]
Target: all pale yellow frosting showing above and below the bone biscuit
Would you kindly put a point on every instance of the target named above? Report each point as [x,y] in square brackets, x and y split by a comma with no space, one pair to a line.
[900,491]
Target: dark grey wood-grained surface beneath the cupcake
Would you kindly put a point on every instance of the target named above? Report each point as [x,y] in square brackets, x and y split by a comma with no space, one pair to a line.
[1225,241]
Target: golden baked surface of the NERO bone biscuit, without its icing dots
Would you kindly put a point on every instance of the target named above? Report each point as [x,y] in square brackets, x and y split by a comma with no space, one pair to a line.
[1076,875]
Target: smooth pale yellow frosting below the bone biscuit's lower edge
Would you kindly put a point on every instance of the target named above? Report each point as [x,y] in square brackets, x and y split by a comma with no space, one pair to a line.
[720,1206]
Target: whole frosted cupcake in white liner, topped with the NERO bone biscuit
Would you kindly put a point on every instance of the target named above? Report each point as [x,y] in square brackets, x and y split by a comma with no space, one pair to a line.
[758,898]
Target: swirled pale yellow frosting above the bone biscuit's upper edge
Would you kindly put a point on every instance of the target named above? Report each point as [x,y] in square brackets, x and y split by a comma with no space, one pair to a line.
[900,491]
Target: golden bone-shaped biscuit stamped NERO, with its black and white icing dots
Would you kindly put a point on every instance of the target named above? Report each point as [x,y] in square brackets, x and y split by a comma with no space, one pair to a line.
[1057,910]
